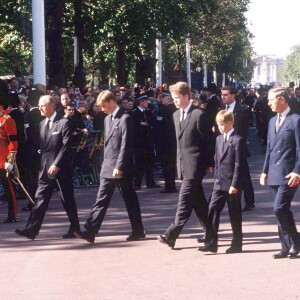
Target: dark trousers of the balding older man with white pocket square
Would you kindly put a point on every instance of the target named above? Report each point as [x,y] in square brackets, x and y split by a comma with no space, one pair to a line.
[43,196]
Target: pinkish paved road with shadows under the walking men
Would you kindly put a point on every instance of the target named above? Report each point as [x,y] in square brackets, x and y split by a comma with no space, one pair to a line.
[52,268]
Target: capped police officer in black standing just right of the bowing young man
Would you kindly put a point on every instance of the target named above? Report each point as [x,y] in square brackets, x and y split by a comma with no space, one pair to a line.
[143,150]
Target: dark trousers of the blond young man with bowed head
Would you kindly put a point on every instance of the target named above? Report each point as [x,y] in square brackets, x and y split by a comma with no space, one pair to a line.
[105,192]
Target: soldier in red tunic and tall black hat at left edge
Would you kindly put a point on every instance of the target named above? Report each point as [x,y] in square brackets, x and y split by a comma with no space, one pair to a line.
[8,150]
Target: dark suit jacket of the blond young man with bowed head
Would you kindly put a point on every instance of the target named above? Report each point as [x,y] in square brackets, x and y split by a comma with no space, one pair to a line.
[118,146]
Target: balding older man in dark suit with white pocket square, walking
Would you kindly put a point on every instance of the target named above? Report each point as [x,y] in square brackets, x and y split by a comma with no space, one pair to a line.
[55,170]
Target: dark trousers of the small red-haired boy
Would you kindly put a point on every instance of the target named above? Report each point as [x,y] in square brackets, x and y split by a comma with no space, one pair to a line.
[216,205]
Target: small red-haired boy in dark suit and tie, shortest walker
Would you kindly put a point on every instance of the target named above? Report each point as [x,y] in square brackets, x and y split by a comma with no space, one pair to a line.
[230,156]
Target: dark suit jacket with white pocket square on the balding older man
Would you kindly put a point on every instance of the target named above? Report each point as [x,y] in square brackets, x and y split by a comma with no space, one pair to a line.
[56,148]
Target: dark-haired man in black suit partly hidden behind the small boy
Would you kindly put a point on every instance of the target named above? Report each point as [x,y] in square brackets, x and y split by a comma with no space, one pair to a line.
[241,126]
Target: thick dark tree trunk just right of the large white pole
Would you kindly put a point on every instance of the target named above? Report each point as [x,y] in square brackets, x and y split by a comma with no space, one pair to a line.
[56,71]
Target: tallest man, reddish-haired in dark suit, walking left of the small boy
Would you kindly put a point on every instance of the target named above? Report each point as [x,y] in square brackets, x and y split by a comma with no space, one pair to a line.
[192,160]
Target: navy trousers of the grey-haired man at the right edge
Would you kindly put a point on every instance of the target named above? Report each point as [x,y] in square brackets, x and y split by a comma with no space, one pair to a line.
[283,196]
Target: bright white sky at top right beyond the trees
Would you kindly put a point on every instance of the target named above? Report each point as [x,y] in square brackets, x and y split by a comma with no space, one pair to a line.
[273,20]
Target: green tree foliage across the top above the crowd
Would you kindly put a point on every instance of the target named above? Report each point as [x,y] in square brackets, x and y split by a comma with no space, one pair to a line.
[117,32]
